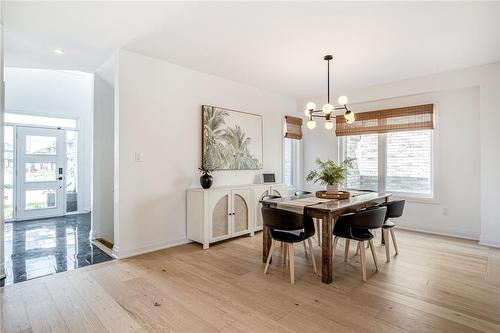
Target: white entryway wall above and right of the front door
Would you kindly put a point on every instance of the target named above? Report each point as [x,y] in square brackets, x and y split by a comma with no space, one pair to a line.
[61,94]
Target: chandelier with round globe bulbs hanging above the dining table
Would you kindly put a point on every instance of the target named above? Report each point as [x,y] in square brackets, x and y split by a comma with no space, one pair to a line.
[328,109]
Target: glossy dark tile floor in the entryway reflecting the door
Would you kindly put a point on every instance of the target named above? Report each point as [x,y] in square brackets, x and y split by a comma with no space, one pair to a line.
[41,247]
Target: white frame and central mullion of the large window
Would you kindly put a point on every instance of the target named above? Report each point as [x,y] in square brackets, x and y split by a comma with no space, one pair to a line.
[382,170]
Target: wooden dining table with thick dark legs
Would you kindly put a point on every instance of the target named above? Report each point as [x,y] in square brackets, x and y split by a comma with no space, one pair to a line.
[326,211]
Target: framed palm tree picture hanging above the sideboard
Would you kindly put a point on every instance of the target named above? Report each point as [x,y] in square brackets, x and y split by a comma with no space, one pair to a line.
[232,140]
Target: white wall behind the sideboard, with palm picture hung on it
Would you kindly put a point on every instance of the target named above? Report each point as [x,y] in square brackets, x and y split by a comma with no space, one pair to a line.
[158,114]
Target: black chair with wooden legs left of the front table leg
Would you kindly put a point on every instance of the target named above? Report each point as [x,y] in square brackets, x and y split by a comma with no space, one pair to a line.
[288,228]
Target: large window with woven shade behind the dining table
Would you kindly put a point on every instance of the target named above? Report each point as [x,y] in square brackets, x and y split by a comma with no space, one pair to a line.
[392,150]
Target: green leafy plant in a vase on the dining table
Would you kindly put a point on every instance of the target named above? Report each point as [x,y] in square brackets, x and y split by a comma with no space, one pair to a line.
[330,173]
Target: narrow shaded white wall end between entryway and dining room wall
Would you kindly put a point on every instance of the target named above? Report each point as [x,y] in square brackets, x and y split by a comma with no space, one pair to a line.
[103,154]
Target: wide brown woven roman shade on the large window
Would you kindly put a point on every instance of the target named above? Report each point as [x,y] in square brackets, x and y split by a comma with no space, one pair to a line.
[410,118]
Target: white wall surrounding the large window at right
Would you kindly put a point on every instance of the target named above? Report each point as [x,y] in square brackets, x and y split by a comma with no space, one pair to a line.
[467,110]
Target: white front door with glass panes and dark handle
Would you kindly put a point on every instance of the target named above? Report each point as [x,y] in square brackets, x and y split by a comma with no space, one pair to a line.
[40,172]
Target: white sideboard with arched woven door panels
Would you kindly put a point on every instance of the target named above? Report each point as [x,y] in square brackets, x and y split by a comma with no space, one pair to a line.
[225,212]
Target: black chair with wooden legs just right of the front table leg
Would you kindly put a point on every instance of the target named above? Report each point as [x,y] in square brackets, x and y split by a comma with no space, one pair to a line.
[357,226]
